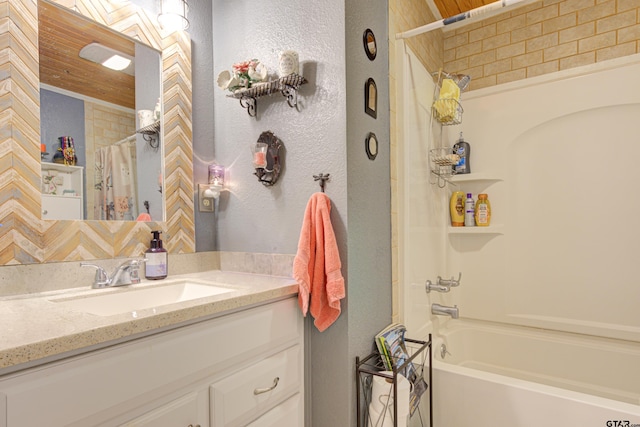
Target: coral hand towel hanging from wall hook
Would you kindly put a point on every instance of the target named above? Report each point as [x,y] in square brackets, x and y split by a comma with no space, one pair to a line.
[316,266]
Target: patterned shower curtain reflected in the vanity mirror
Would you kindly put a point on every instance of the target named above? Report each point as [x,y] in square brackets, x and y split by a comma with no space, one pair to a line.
[115,196]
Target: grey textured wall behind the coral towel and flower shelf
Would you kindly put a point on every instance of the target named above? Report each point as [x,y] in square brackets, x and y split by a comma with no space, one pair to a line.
[325,134]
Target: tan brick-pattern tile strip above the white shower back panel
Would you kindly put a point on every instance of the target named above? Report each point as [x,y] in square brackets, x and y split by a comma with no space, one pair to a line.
[541,38]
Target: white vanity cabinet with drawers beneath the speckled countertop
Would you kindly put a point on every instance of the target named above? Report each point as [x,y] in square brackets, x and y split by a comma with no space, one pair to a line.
[218,372]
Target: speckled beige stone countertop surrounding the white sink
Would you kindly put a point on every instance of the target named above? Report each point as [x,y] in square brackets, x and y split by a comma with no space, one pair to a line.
[37,328]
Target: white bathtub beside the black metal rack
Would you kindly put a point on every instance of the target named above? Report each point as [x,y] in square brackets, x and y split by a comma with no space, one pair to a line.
[495,375]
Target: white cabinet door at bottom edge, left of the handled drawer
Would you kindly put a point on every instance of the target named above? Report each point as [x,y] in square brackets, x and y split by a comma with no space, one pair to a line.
[182,412]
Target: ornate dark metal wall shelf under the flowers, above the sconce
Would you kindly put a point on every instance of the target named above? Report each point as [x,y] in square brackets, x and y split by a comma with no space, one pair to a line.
[287,85]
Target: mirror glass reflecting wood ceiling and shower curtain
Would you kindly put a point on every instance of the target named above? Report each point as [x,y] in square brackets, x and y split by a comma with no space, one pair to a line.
[115,170]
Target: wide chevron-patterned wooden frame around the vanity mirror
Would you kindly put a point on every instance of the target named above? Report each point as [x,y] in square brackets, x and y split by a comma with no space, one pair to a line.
[26,238]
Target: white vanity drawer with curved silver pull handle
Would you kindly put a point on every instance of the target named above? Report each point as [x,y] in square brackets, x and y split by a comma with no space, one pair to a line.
[256,389]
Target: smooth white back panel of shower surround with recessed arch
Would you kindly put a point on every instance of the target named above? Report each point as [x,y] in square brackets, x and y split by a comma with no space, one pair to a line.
[561,156]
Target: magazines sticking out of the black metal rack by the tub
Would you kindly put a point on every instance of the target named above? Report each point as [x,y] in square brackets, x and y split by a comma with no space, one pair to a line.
[394,354]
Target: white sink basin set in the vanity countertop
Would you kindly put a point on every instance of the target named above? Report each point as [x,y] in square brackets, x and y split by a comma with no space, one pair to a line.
[131,300]
